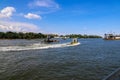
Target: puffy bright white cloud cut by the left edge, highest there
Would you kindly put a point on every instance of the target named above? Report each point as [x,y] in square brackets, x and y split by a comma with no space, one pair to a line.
[7,12]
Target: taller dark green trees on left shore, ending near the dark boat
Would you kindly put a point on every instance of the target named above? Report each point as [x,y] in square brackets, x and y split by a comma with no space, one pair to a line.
[21,35]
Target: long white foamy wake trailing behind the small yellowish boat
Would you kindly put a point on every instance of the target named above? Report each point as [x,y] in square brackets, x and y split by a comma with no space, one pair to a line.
[36,46]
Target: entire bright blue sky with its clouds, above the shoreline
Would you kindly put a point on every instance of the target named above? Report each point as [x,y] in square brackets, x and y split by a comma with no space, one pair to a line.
[61,16]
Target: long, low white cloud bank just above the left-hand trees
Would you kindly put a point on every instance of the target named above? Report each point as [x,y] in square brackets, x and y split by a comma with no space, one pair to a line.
[18,27]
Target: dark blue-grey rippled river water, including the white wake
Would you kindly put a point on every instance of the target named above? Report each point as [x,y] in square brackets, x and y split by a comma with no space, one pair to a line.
[93,59]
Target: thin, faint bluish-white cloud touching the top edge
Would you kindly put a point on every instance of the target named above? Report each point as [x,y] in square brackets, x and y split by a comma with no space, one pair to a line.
[44,3]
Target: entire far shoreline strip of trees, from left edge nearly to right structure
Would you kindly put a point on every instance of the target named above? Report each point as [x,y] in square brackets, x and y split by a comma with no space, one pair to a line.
[31,35]
